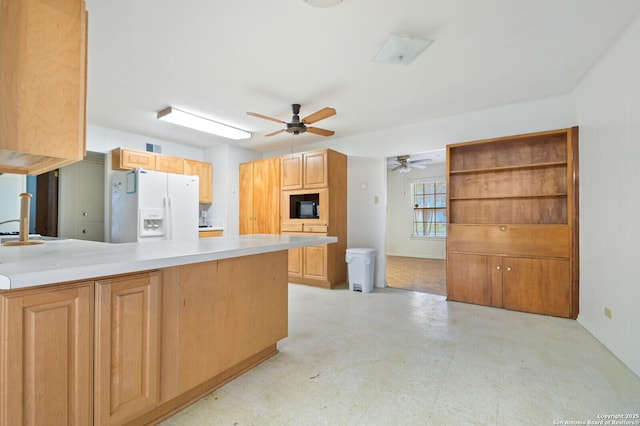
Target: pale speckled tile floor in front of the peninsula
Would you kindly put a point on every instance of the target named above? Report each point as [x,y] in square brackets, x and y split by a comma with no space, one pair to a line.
[395,357]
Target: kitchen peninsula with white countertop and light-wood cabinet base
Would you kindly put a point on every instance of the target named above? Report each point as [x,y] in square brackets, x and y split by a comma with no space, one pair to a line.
[96,333]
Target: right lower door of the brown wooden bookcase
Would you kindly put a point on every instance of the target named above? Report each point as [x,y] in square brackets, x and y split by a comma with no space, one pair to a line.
[539,286]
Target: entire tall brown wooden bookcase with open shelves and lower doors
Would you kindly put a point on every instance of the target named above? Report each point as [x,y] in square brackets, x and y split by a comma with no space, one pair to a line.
[512,239]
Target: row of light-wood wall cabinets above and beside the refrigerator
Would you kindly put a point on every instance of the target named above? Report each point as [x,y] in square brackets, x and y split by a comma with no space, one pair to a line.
[129,159]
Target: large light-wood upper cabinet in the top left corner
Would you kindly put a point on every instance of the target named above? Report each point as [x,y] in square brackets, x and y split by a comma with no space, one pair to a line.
[43,62]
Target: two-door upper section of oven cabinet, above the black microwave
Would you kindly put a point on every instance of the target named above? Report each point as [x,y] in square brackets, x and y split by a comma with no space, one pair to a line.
[309,170]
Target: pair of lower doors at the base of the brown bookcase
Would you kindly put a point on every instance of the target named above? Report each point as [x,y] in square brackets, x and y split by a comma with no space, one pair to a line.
[536,285]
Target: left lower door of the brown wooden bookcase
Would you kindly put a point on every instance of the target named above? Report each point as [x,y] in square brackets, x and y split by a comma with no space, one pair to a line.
[474,278]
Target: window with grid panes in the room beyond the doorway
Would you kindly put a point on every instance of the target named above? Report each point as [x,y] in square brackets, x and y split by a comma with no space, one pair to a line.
[429,203]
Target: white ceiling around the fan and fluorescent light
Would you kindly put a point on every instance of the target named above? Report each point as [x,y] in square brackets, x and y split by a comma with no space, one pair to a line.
[221,59]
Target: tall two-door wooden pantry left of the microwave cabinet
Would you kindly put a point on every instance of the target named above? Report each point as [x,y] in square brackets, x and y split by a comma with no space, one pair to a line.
[260,197]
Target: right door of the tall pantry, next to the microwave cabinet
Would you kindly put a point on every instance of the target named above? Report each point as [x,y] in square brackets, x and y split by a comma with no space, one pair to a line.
[266,196]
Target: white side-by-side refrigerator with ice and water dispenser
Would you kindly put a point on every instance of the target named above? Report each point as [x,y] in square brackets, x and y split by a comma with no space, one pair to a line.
[149,206]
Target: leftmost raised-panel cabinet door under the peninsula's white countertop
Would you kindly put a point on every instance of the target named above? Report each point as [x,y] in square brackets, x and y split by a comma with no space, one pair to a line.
[46,357]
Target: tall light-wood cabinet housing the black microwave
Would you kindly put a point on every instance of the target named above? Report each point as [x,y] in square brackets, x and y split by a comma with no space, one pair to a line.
[318,177]
